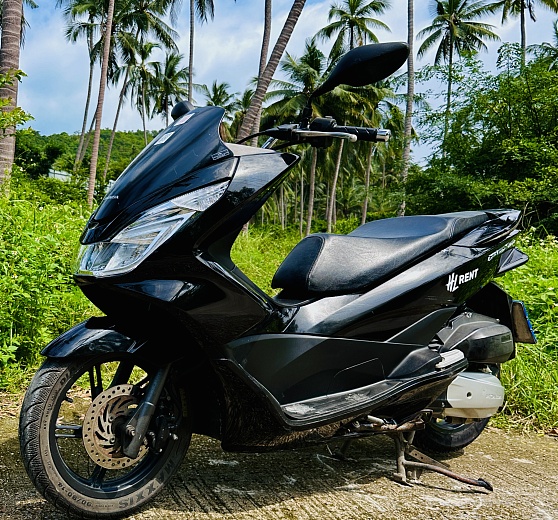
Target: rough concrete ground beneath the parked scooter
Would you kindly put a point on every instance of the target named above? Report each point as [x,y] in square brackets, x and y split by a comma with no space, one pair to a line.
[309,484]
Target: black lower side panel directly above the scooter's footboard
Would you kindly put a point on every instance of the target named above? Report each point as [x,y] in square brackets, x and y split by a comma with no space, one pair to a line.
[300,367]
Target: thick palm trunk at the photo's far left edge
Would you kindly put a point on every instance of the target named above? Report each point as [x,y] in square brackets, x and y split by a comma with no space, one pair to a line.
[9,59]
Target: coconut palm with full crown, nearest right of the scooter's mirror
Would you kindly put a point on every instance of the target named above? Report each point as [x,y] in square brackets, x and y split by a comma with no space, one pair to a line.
[456,29]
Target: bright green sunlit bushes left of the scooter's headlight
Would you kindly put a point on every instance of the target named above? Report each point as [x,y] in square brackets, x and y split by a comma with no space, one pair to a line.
[38,301]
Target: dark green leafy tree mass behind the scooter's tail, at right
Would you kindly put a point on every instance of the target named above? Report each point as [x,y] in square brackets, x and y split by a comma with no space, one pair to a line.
[502,148]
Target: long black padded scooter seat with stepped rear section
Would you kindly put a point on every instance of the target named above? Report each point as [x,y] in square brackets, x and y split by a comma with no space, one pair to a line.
[323,264]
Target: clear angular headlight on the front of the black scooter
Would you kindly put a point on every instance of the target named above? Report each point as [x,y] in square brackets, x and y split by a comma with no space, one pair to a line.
[138,240]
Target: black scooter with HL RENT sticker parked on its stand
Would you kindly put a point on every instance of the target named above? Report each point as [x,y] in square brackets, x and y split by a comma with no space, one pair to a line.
[393,329]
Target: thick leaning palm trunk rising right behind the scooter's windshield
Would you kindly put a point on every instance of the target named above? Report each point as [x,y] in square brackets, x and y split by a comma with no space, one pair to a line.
[270,69]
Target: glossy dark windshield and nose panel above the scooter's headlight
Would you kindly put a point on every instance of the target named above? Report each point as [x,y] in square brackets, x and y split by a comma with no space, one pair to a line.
[163,170]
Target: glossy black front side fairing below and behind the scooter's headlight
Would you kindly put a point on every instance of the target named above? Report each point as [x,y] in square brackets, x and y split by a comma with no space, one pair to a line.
[190,279]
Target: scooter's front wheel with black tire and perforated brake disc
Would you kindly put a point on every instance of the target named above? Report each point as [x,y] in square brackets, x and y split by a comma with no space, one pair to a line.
[89,477]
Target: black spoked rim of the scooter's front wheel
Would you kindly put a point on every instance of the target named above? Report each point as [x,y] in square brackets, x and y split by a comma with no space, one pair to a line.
[70,455]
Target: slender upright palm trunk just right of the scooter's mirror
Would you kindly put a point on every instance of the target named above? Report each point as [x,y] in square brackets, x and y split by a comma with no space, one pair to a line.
[409,107]
